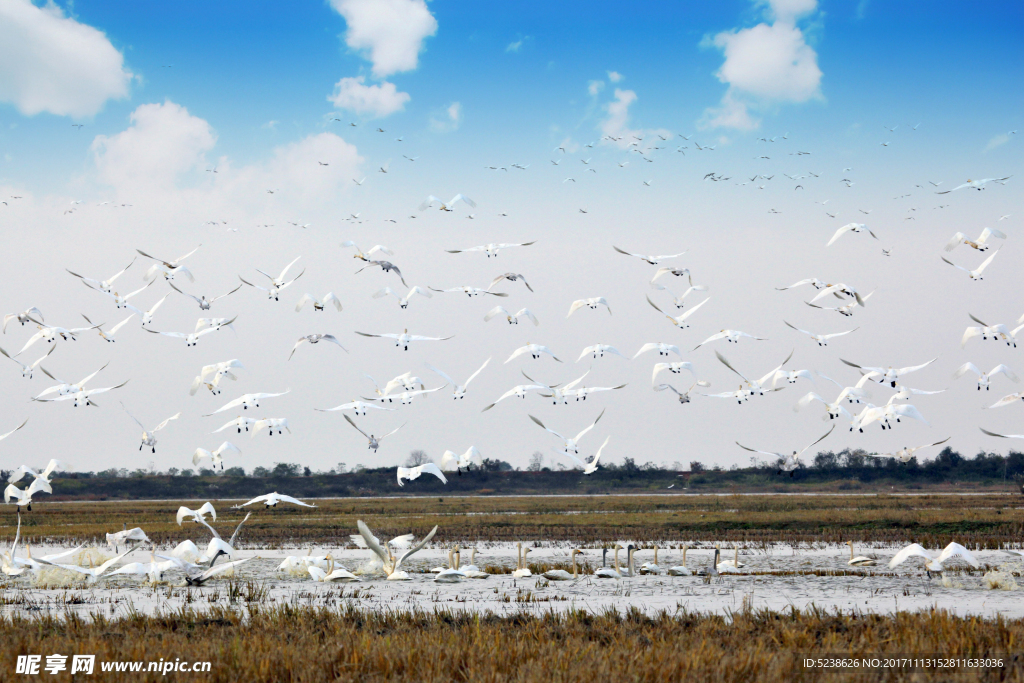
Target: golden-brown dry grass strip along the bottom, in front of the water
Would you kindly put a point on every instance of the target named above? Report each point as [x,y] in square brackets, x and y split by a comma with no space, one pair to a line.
[310,646]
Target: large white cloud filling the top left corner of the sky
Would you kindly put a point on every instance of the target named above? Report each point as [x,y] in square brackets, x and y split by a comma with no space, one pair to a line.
[51,63]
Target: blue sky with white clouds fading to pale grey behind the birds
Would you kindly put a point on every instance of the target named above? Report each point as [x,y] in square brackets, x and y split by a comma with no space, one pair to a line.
[163,127]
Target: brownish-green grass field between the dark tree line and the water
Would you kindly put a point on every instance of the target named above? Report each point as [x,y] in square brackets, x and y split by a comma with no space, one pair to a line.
[985,521]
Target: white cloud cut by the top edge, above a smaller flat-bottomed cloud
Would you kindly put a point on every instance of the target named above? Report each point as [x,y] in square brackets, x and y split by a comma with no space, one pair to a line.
[391,31]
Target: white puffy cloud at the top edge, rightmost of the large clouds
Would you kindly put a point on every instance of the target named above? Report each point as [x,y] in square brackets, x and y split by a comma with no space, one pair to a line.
[766,65]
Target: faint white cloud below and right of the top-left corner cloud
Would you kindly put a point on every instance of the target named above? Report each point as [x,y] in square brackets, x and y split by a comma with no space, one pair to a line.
[163,143]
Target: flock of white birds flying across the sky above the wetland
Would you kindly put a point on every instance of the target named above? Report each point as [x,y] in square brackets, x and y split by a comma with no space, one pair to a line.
[174,278]
